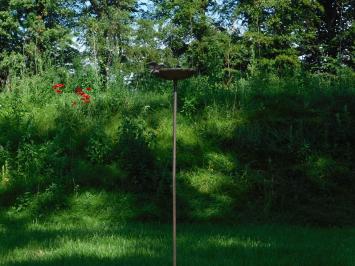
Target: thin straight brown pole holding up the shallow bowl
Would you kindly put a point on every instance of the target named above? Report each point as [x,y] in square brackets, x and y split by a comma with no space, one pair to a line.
[174,173]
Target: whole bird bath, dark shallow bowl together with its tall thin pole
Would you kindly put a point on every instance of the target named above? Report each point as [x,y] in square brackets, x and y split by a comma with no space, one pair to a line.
[173,74]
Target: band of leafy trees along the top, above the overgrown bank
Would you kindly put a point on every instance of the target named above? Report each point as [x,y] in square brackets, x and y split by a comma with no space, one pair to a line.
[216,36]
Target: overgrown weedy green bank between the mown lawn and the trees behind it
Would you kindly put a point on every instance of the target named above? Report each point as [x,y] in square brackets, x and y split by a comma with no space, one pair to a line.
[264,149]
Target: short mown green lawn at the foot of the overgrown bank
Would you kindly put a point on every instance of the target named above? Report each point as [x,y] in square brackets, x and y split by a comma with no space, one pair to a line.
[85,240]
